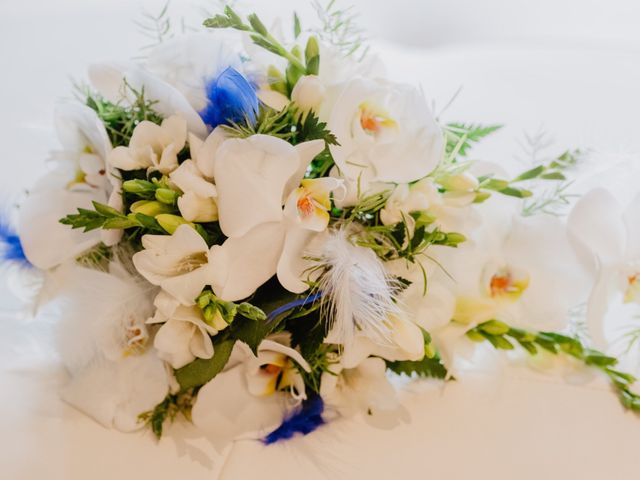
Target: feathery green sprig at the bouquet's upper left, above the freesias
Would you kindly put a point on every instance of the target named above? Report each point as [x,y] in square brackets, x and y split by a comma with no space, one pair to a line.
[121,119]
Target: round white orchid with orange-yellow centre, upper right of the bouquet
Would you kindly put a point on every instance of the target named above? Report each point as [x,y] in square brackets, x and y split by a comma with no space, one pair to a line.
[385,131]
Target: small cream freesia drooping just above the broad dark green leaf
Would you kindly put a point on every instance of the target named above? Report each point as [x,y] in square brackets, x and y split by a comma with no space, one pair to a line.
[184,334]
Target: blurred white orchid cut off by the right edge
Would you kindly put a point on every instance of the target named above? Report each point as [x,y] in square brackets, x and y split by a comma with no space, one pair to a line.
[608,238]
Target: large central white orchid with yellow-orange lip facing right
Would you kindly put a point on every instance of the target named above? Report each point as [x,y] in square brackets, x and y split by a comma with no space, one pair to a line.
[255,177]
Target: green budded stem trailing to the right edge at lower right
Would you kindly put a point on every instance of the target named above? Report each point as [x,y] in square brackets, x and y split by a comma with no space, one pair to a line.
[504,337]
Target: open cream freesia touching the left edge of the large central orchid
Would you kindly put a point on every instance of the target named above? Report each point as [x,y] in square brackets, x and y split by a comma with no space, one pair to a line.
[181,264]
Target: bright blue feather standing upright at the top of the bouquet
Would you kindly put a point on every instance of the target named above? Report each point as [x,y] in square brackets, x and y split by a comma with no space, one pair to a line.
[231,98]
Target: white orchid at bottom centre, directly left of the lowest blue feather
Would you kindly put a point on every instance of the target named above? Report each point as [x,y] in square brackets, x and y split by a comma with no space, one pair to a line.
[258,393]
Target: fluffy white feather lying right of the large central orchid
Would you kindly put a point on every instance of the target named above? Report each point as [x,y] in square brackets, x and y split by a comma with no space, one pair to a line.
[359,294]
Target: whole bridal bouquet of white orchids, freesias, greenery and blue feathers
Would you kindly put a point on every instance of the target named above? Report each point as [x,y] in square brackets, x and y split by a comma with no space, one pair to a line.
[258,230]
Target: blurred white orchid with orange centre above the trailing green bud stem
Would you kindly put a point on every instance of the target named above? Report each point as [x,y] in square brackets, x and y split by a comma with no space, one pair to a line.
[515,277]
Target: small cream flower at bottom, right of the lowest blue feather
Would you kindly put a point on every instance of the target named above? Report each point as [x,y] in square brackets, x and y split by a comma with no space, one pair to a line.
[363,388]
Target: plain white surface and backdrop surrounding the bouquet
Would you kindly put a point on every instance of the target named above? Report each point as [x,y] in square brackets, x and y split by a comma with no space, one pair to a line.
[520,425]
